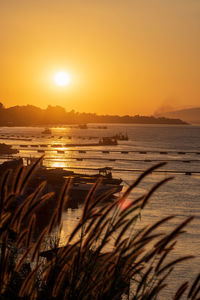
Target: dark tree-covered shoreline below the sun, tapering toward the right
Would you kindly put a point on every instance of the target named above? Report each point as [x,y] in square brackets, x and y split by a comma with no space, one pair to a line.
[30,115]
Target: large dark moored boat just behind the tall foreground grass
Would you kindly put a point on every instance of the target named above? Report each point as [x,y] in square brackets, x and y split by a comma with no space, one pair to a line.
[81,183]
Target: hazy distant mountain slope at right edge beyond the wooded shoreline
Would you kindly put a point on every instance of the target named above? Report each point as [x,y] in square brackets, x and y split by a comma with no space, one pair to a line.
[191,115]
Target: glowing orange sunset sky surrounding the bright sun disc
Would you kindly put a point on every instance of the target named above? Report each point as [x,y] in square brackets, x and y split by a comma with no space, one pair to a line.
[122,56]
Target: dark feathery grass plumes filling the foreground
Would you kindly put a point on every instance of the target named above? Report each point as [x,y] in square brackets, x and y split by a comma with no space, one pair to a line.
[138,265]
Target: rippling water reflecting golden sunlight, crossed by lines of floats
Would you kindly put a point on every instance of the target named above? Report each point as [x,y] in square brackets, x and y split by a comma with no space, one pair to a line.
[180,197]
